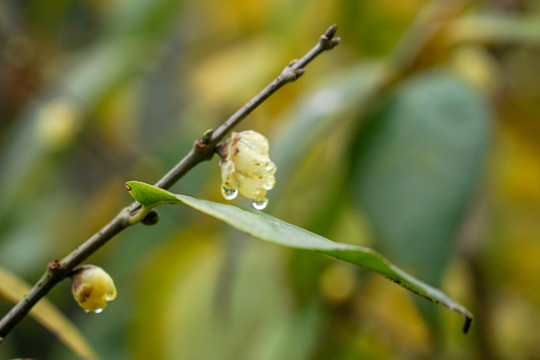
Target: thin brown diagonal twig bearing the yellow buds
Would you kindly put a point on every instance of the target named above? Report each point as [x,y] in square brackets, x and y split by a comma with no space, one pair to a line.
[202,150]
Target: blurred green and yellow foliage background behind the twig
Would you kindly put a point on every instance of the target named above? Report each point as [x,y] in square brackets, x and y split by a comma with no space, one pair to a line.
[419,136]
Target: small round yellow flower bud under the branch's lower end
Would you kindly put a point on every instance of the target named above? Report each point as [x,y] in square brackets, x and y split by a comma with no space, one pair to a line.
[92,287]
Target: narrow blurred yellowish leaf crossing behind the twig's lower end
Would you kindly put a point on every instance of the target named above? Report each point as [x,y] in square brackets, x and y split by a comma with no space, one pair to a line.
[14,289]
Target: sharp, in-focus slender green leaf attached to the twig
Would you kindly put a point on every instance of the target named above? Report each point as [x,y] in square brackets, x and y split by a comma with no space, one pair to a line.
[268,228]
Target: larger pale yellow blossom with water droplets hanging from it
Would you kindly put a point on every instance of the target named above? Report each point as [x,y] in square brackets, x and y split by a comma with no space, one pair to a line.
[246,167]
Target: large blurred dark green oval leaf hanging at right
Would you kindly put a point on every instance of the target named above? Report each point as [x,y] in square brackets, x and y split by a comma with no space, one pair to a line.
[416,167]
